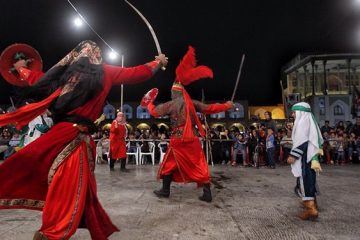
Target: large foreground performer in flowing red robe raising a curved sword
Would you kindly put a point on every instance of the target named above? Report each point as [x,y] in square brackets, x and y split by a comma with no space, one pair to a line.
[55,173]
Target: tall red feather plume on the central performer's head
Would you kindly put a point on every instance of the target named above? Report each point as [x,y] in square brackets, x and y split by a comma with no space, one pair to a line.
[187,71]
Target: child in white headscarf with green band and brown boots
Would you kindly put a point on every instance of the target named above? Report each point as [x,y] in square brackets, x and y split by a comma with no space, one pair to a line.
[304,156]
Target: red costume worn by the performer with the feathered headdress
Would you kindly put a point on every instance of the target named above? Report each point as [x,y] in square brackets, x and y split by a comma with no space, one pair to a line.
[184,157]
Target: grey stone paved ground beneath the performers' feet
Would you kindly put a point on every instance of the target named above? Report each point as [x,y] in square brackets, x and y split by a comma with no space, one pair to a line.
[248,204]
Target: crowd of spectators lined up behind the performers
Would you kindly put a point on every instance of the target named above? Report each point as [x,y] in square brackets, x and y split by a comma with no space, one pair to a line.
[264,145]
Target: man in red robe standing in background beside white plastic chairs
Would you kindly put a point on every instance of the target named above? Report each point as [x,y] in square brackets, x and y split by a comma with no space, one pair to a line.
[118,132]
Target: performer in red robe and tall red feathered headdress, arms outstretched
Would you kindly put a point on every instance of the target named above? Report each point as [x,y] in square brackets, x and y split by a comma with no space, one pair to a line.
[184,160]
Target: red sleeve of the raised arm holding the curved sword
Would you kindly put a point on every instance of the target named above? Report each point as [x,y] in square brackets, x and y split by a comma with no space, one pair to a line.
[132,75]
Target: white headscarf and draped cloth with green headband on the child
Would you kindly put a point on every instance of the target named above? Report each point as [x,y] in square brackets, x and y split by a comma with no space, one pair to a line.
[305,130]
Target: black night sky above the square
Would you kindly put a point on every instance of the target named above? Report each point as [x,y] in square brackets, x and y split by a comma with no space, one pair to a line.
[269,33]
